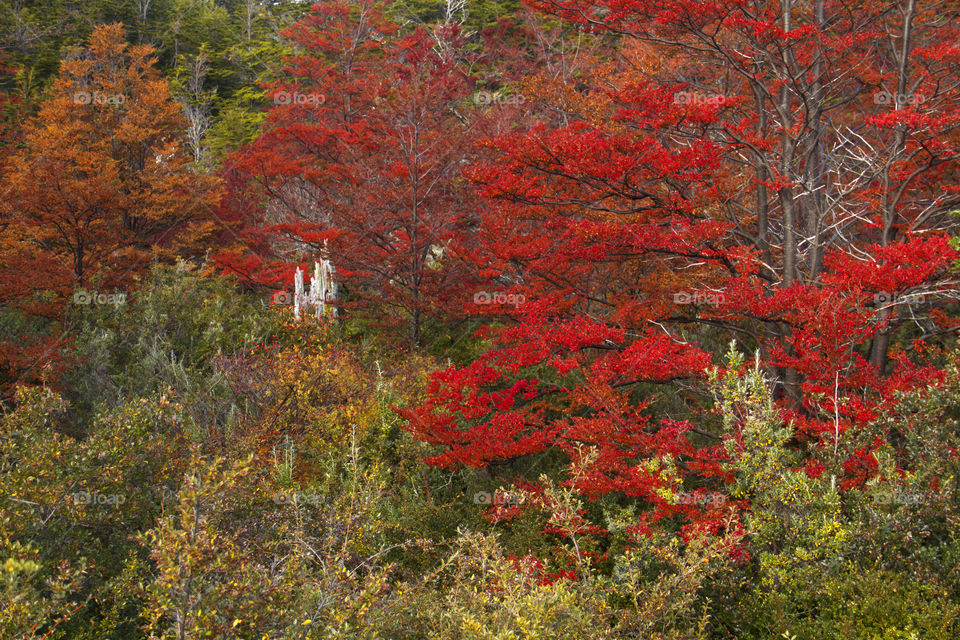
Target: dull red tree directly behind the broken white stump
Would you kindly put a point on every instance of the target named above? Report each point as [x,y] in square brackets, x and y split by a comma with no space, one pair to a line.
[359,161]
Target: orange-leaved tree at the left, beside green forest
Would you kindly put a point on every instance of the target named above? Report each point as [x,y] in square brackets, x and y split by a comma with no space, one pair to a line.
[103,181]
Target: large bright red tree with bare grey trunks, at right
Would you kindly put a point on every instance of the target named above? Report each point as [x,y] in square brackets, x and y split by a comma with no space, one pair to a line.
[739,178]
